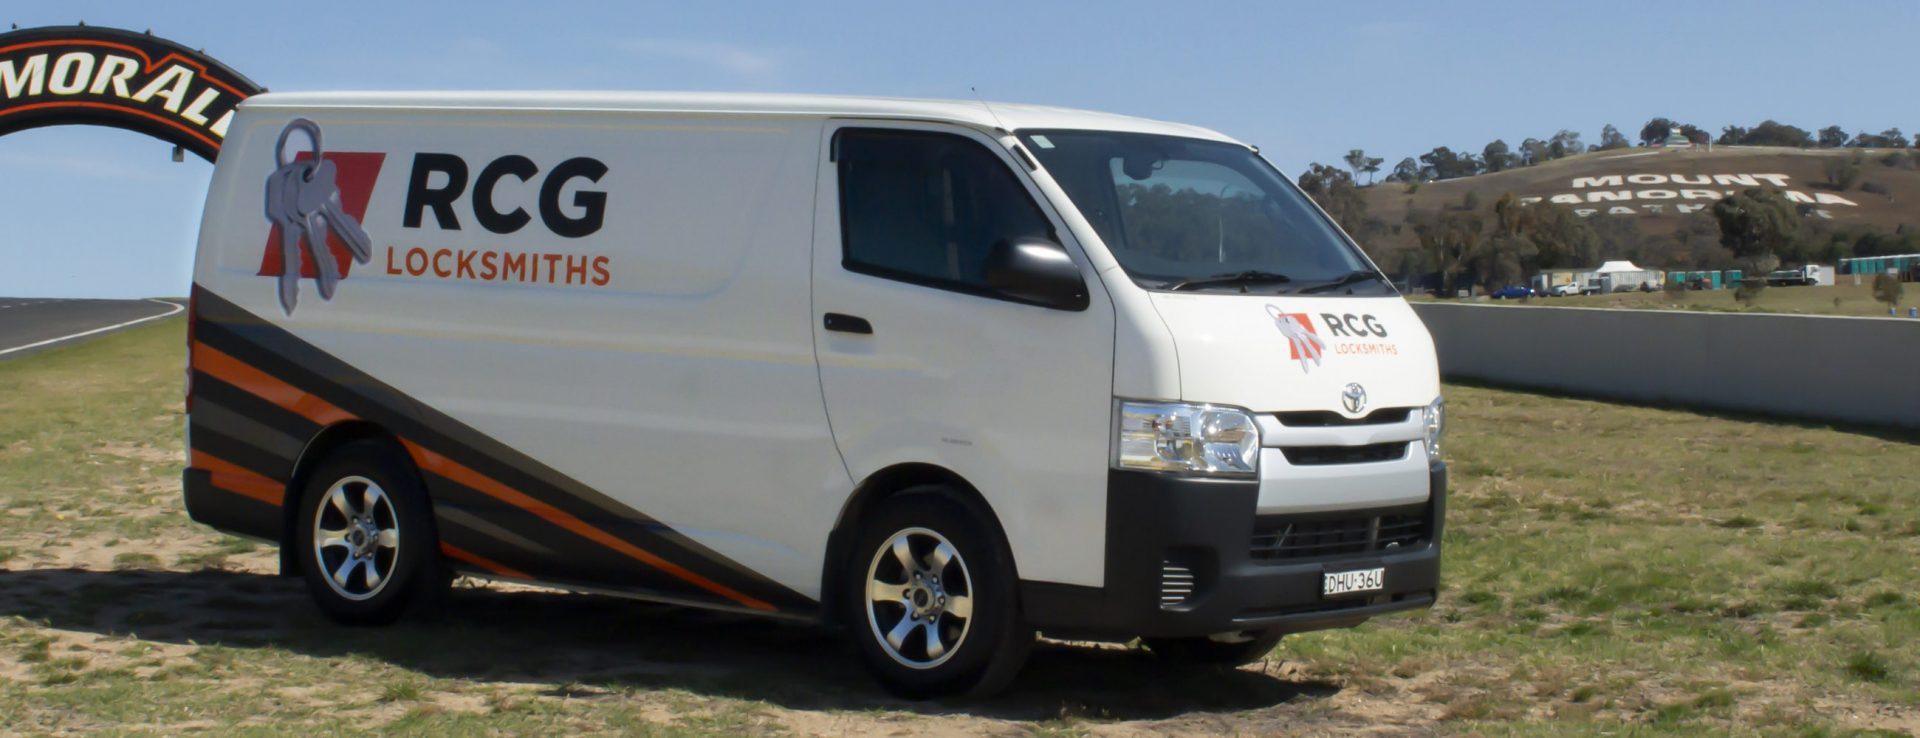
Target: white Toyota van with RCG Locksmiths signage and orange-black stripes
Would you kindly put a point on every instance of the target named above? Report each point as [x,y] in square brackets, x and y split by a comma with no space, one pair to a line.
[934,372]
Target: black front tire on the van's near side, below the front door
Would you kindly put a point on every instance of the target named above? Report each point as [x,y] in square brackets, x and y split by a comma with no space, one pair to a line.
[980,652]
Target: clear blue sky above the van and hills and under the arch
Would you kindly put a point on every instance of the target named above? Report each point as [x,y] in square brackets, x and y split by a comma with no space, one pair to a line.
[93,212]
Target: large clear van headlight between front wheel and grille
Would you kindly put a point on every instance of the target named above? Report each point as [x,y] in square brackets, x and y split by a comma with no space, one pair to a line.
[1189,439]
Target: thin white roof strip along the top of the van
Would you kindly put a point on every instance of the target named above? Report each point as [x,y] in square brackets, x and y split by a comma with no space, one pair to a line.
[963,112]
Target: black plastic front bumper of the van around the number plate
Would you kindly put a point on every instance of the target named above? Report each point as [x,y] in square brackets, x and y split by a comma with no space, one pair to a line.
[1164,531]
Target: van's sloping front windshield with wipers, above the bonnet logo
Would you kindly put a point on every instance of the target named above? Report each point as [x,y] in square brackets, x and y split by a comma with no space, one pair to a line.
[1186,214]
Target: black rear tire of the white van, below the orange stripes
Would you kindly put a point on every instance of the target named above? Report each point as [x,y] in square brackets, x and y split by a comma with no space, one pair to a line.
[412,576]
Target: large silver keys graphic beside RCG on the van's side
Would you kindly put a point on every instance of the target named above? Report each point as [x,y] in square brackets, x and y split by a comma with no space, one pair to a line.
[304,201]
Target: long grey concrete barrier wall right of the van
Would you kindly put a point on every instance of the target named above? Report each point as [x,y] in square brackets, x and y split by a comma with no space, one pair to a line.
[1850,370]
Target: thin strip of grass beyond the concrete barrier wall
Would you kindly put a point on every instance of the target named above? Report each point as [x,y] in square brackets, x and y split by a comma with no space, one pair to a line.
[1842,299]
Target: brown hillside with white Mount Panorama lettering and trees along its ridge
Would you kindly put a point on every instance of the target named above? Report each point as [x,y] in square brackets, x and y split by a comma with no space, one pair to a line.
[1664,191]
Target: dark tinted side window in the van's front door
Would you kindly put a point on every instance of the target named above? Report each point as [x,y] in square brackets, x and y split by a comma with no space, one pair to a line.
[928,207]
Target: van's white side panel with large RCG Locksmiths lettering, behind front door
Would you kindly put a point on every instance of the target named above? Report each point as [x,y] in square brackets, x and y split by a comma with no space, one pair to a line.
[588,330]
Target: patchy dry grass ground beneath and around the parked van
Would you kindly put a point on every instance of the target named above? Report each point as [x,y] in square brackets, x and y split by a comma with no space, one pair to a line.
[1610,572]
